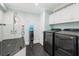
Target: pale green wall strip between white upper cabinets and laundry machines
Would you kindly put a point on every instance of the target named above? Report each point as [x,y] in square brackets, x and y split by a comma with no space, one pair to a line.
[66,25]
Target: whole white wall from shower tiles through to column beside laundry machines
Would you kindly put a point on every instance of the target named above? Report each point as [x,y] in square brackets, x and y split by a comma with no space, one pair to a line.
[40,23]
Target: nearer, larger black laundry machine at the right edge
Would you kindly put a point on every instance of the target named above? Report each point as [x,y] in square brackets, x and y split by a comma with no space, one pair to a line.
[67,43]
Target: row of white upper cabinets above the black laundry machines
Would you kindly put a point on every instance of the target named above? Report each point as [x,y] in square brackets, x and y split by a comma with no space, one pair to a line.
[68,14]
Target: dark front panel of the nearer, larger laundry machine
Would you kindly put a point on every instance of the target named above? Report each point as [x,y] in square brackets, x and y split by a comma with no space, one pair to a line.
[66,44]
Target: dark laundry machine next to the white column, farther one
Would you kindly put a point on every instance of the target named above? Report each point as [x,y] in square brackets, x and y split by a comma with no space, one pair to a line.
[49,41]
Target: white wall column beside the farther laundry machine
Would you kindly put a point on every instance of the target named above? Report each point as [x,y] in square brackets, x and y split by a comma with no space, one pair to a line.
[44,24]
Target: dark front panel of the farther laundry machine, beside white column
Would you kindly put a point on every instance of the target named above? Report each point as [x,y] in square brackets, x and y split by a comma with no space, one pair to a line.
[48,44]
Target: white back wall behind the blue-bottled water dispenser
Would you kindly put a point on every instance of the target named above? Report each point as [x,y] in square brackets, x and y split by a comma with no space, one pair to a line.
[30,19]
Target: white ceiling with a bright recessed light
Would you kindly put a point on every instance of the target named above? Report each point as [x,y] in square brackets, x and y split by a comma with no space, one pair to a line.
[32,8]
